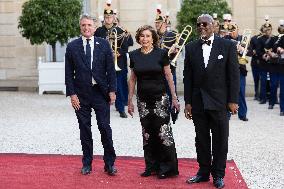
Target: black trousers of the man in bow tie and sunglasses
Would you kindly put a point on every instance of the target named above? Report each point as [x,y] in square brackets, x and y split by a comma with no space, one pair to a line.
[218,123]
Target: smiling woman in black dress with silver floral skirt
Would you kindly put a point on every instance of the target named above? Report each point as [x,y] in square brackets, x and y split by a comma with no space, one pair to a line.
[150,67]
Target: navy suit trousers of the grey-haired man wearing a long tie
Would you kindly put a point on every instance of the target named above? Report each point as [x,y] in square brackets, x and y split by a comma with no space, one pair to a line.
[101,107]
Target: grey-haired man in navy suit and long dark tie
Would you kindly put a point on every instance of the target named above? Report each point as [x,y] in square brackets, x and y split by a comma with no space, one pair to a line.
[91,83]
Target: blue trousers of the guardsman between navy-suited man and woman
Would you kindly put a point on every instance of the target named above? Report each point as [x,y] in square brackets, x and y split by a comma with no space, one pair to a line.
[120,93]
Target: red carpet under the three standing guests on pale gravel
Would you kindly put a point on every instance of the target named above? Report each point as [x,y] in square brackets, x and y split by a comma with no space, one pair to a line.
[23,171]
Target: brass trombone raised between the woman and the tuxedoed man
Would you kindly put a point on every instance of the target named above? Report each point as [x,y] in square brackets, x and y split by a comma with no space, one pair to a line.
[179,44]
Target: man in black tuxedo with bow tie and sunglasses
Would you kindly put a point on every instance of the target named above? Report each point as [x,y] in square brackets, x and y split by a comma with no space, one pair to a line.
[211,88]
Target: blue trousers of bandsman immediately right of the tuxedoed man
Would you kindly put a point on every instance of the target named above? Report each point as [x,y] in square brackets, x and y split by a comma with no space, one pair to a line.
[242,113]
